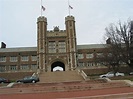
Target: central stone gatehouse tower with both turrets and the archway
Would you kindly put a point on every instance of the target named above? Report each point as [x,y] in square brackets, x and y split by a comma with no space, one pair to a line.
[56,48]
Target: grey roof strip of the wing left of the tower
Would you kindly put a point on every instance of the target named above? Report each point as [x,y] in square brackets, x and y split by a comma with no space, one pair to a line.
[19,49]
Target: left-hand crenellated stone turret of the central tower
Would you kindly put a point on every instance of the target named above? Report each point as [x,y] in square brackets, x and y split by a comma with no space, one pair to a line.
[41,41]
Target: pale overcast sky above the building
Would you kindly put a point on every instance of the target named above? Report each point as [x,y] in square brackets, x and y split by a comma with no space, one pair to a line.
[18,18]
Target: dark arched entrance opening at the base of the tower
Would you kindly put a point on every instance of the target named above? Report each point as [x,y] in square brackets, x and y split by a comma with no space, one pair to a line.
[58,66]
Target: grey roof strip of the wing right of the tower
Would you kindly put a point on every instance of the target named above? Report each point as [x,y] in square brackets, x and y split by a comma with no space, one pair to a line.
[91,46]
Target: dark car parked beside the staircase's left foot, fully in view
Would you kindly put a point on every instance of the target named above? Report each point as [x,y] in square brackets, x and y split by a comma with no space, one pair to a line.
[29,79]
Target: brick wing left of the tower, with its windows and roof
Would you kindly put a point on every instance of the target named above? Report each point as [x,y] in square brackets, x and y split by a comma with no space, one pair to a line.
[18,59]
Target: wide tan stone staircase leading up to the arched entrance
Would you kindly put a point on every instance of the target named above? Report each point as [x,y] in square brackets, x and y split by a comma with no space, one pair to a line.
[60,76]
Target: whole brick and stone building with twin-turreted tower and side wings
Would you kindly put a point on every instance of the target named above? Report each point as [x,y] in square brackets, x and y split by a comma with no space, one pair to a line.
[55,48]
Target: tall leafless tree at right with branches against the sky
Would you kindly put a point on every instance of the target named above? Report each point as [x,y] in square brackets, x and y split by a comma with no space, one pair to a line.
[120,44]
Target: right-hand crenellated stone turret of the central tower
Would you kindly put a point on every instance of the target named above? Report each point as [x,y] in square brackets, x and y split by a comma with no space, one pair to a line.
[71,34]
